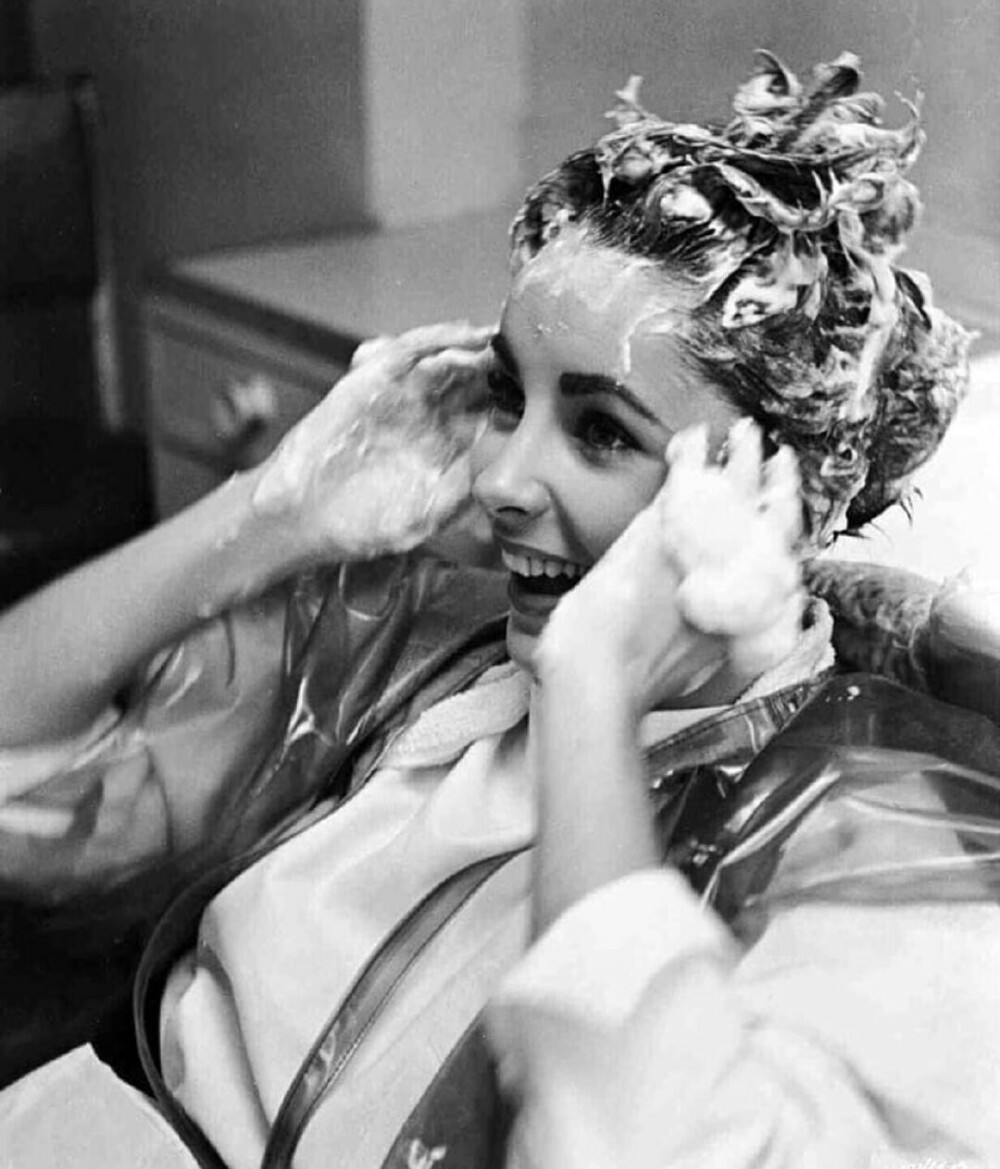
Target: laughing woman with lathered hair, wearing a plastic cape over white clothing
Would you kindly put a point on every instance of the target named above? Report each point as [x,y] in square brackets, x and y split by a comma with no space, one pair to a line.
[597,861]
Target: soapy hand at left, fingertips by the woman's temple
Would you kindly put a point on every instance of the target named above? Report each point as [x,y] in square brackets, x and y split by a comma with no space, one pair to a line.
[383,462]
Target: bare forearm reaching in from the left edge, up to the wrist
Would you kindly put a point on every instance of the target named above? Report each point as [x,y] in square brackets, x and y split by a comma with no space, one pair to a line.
[70,648]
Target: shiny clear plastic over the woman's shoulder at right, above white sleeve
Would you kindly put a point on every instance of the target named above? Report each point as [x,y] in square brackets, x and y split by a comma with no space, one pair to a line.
[873,794]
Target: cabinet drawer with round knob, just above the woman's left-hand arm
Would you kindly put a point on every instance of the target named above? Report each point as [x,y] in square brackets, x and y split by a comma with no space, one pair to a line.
[224,409]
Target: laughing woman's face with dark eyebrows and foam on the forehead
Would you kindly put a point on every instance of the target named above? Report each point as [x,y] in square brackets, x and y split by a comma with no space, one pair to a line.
[588,386]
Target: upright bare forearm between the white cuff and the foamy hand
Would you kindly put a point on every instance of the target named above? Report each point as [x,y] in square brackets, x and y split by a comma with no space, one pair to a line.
[595,817]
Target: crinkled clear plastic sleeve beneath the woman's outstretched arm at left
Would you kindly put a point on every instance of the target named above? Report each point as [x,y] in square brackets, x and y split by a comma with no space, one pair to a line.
[233,732]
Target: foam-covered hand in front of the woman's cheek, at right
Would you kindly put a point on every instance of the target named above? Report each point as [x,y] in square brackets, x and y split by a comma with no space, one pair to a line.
[704,579]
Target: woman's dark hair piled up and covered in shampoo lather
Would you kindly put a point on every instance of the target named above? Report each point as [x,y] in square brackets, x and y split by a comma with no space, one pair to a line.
[787,225]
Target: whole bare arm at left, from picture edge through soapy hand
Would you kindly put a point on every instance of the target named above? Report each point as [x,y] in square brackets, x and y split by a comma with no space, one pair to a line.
[335,490]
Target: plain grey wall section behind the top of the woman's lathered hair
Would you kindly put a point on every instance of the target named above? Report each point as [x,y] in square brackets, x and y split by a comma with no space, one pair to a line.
[693,52]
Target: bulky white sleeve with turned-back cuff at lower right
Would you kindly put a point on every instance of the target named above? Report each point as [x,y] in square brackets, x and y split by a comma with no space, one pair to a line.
[637,1034]
